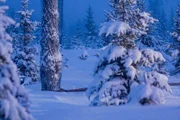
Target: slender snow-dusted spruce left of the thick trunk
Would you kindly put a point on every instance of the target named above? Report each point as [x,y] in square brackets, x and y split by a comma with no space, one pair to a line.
[25,51]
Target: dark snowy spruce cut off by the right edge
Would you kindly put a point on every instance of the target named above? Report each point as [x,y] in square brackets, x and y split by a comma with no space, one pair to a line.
[176,37]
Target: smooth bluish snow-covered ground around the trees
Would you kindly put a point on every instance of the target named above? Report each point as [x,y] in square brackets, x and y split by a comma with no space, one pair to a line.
[75,106]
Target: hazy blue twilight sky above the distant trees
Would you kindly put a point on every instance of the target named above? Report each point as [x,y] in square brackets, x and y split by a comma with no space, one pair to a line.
[75,10]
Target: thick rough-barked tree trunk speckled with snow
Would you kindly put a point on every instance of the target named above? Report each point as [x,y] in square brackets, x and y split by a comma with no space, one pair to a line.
[51,60]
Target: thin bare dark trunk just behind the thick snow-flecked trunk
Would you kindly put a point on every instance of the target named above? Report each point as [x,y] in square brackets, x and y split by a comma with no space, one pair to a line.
[61,19]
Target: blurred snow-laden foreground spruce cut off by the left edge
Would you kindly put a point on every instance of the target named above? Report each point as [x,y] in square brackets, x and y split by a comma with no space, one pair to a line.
[14,100]
